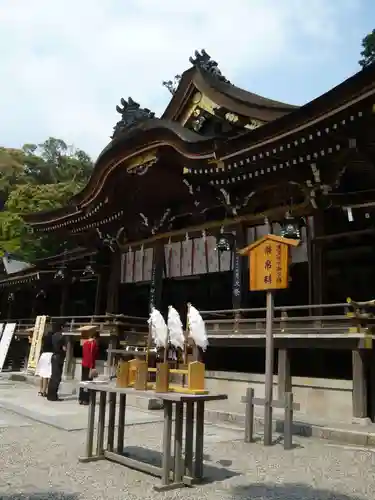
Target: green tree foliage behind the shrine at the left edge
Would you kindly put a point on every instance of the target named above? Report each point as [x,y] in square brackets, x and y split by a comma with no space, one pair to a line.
[35,178]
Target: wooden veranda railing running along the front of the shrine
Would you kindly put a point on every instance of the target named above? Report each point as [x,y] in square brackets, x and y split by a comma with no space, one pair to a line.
[297,321]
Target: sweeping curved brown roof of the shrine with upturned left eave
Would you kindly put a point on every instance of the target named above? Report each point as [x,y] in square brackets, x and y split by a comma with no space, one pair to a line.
[166,132]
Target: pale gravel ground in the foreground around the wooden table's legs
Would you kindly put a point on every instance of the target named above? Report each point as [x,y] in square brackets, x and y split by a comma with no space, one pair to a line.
[40,462]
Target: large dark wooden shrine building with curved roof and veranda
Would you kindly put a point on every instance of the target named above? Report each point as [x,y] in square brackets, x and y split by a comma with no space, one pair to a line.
[171,201]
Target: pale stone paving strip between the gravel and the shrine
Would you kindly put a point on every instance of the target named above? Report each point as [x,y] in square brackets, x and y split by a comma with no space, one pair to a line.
[20,397]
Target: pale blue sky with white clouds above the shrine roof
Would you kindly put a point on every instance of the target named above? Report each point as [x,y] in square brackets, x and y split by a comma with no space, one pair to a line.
[65,64]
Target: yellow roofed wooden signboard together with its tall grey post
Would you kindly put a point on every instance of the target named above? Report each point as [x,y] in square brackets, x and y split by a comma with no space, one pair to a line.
[269,271]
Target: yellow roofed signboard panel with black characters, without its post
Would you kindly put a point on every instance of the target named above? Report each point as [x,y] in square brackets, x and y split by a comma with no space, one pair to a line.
[269,262]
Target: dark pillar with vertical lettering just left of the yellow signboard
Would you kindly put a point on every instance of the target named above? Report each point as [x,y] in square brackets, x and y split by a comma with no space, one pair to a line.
[239,269]
